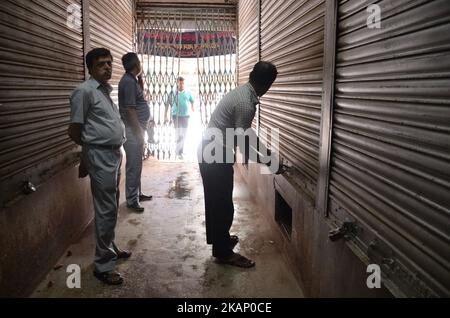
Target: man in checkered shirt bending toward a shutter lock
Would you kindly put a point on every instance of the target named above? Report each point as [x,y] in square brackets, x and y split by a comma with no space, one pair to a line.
[235,111]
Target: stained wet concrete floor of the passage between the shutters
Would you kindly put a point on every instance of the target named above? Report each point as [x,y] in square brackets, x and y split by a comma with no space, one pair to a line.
[170,256]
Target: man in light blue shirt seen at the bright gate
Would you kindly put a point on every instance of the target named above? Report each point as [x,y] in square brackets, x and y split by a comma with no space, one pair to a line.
[179,102]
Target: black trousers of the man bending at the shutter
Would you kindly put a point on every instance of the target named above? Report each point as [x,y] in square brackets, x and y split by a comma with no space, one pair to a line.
[219,208]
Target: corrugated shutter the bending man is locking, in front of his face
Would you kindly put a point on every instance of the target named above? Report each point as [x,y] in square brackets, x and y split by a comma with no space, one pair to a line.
[292,37]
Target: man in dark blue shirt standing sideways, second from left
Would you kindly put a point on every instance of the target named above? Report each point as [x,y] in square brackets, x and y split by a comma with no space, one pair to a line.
[135,113]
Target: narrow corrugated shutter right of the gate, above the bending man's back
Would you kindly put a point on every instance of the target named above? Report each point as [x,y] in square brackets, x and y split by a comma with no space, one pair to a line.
[248,54]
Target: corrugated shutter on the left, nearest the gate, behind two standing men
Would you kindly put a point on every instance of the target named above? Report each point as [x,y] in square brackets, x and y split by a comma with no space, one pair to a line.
[112,28]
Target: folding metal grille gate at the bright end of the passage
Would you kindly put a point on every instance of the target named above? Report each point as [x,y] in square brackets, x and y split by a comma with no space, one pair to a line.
[169,42]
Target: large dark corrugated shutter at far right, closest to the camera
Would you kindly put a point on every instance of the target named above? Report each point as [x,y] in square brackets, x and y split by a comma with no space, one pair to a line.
[391,140]
